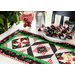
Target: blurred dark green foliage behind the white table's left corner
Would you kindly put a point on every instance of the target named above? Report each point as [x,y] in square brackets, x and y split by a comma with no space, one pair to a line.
[8,18]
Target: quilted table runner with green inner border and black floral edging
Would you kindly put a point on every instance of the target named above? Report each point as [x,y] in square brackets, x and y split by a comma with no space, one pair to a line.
[31,48]
